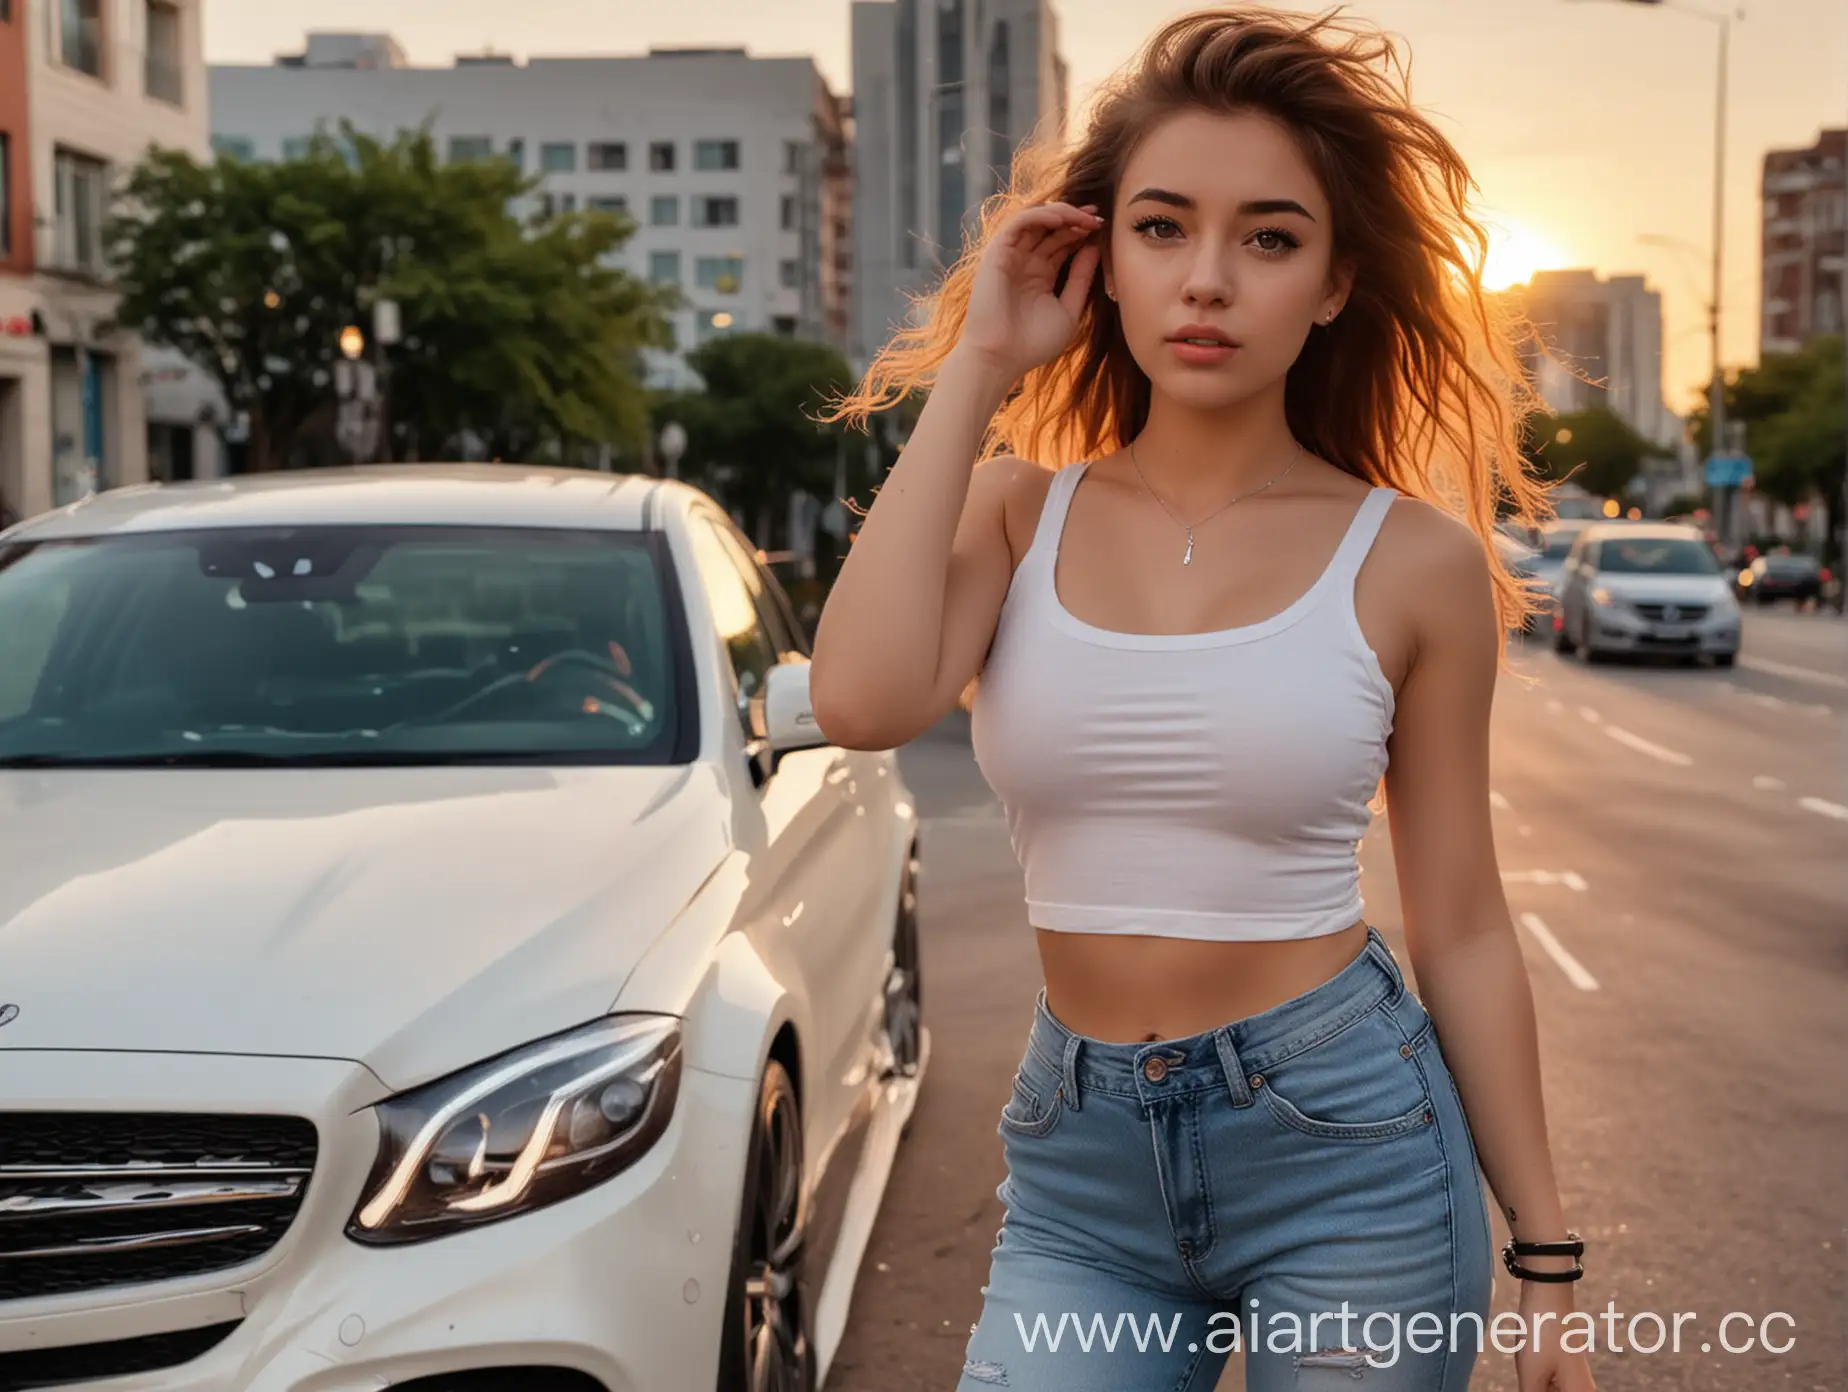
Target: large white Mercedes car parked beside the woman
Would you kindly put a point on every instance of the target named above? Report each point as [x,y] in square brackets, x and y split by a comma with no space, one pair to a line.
[437,946]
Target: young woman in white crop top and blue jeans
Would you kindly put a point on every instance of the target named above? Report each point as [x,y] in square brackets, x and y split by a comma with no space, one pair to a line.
[1245,421]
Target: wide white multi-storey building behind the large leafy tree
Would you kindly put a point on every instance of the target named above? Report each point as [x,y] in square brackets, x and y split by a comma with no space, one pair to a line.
[733,167]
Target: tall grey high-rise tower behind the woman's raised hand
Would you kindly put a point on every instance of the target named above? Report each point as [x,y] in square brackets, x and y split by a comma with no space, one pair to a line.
[945,93]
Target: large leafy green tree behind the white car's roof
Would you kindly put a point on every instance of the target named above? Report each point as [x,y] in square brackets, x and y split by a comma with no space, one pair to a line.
[524,339]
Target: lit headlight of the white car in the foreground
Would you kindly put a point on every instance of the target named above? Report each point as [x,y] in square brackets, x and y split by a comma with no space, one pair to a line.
[522,1130]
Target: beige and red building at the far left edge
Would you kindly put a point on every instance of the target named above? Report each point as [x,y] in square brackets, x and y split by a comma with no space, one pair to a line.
[86,88]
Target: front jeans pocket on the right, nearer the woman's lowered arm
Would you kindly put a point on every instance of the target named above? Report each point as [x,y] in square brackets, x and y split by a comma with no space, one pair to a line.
[1363,1084]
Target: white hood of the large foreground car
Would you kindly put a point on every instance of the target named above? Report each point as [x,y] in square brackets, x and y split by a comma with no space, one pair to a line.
[411,920]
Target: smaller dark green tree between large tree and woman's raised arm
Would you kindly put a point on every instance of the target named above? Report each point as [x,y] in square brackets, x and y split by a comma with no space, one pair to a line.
[753,437]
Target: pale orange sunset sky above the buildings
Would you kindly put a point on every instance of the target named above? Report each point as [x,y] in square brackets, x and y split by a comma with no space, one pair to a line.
[1588,123]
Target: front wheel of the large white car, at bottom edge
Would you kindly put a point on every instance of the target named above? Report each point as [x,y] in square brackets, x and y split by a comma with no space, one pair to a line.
[768,1343]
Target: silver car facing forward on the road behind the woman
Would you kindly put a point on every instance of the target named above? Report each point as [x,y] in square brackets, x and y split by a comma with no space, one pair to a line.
[1646,589]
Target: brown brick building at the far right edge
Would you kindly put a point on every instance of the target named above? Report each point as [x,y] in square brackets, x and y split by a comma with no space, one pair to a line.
[1805,232]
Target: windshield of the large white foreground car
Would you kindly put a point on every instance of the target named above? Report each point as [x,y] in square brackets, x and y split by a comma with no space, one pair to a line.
[339,646]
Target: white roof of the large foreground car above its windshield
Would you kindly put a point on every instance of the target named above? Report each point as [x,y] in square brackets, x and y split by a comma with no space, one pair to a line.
[374,495]
